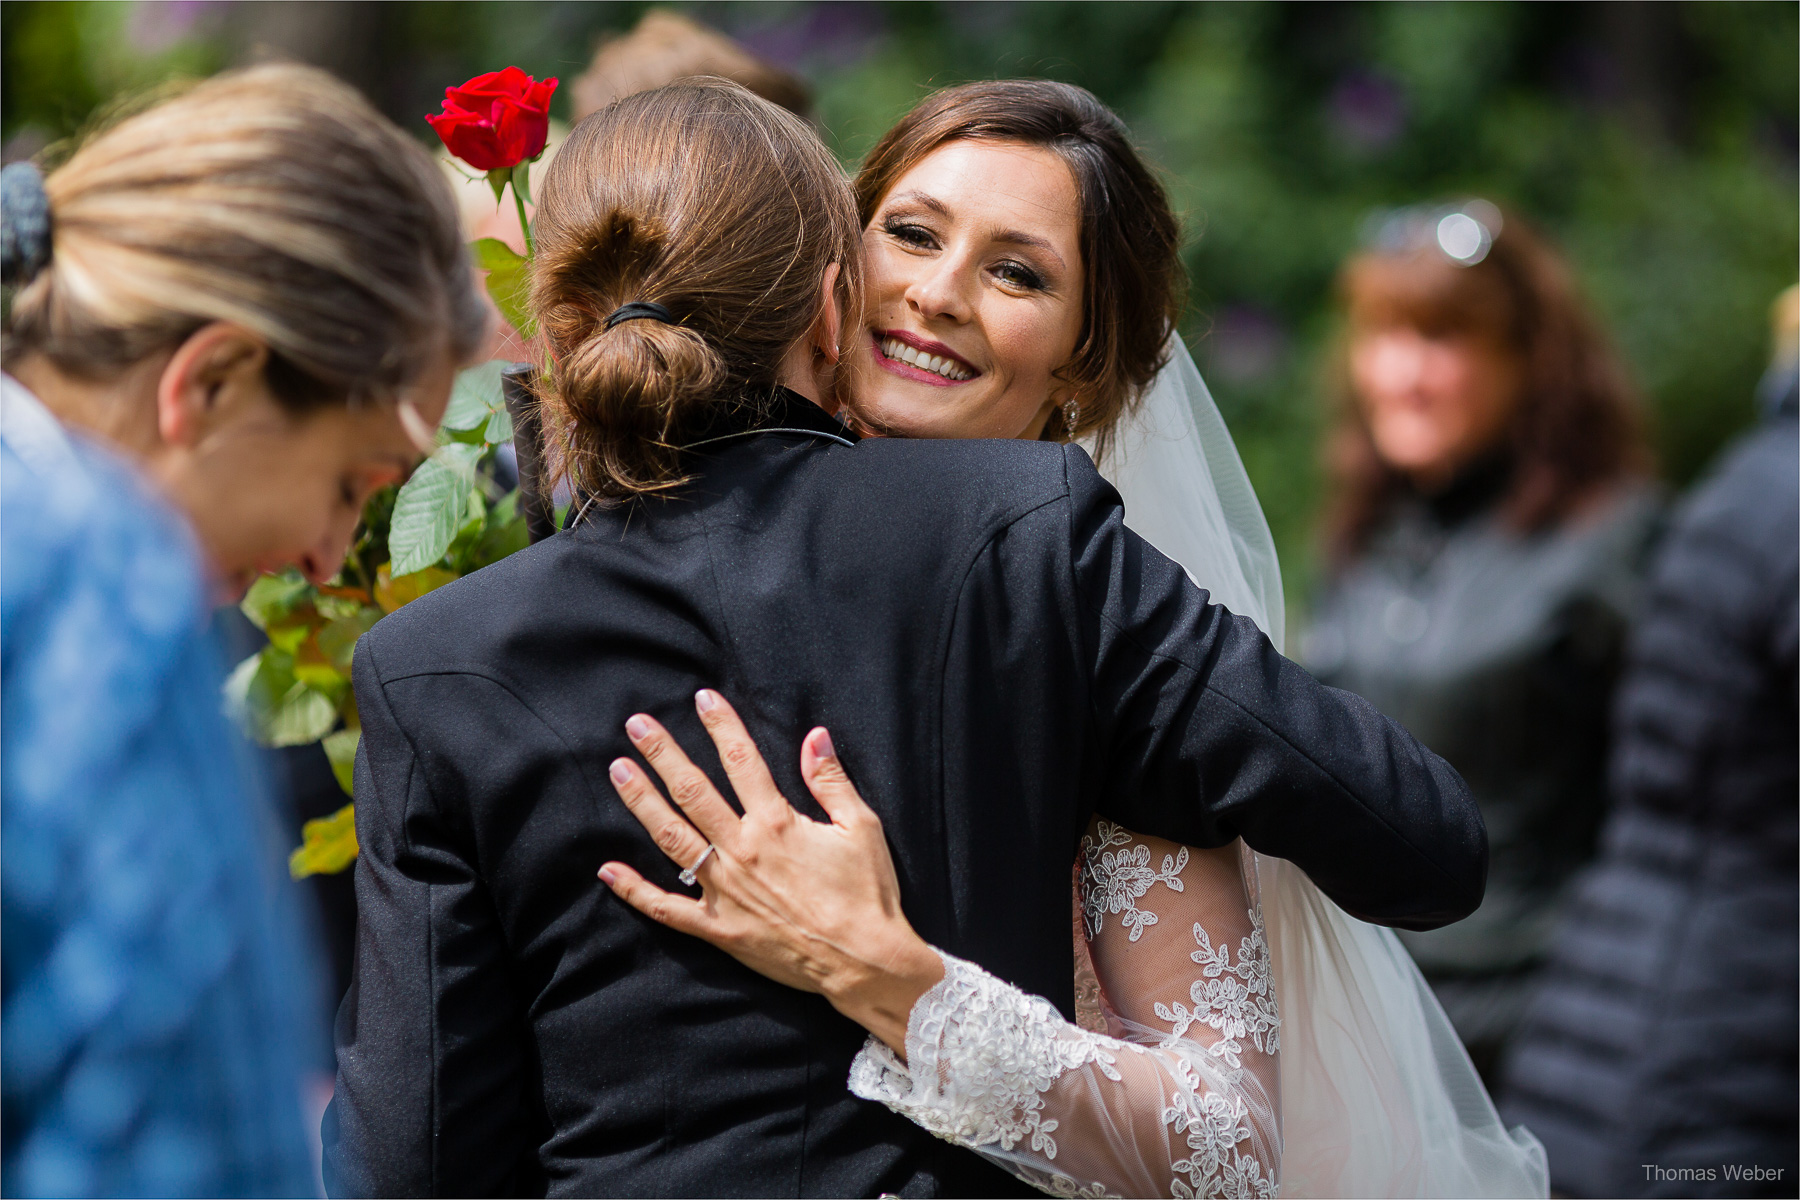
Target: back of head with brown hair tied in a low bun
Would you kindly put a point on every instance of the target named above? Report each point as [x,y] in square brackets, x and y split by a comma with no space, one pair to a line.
[715,206]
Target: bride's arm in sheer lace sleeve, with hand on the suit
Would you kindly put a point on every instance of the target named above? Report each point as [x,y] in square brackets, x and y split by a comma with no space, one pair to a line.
[1178,1098]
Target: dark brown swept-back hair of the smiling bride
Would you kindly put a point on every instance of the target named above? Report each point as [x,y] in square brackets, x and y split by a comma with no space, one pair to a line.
[1131,240]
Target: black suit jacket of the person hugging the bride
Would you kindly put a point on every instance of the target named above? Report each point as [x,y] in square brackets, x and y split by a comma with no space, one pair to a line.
[996,658]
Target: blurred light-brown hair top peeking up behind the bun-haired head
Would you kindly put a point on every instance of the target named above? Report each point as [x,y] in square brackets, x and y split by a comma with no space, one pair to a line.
[667,48]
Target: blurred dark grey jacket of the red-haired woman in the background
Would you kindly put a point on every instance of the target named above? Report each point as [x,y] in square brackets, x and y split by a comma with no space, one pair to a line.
[1500,652]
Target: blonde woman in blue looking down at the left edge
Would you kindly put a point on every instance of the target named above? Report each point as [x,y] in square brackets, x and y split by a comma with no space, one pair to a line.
[233,316]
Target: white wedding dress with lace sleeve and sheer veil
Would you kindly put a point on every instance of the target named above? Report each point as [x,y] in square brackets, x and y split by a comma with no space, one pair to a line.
[1241,1035]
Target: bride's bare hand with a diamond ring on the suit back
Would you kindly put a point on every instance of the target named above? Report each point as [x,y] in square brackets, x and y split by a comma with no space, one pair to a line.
[809,904]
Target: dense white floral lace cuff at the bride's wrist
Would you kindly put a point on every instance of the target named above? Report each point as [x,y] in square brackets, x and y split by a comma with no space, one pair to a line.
[980,1059]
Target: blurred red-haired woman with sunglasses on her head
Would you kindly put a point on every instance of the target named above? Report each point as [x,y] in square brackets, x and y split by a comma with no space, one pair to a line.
[1491,510]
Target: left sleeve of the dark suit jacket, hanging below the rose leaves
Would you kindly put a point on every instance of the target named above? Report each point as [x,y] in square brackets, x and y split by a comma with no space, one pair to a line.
[429,1046]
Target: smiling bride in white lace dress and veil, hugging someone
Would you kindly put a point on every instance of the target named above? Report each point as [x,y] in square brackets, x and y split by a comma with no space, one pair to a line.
[1236,1032]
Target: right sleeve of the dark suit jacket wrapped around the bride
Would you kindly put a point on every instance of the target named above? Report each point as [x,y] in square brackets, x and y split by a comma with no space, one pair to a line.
[1212,737]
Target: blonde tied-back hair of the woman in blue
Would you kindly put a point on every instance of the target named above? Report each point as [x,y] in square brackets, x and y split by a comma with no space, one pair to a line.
[274,199]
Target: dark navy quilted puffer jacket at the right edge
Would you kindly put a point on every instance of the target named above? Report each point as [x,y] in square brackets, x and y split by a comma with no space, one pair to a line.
[1664,1034]
